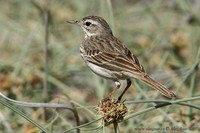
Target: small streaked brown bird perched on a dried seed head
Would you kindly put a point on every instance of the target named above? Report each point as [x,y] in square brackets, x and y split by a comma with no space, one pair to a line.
[109,58]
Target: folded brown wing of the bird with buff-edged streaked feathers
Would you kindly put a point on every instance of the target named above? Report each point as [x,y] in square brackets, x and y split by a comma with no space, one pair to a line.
[111,54]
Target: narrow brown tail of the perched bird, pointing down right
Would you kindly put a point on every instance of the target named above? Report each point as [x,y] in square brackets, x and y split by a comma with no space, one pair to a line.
[158,86]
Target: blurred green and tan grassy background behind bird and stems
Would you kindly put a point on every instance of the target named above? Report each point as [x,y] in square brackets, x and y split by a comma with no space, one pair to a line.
[164,35]
